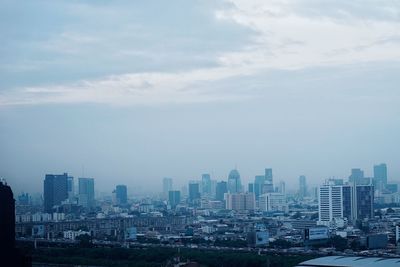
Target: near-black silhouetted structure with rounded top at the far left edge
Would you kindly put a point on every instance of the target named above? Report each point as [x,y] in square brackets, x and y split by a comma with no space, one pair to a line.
[7,218]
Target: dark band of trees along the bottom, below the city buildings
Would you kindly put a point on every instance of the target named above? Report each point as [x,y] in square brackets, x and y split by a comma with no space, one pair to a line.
[159,256]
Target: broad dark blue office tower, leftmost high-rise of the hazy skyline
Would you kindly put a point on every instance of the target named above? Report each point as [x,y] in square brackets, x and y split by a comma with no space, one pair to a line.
[55,190]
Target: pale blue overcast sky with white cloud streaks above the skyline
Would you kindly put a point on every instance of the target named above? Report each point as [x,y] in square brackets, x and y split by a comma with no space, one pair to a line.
[129,92]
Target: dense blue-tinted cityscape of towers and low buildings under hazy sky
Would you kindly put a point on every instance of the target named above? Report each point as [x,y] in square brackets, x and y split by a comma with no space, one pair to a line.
[355,216]
